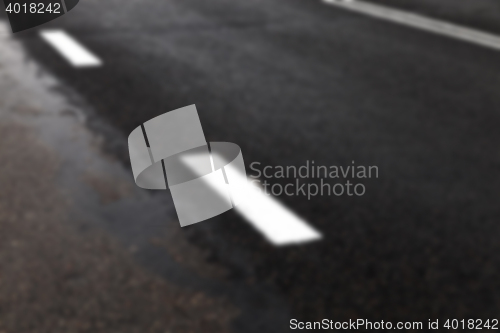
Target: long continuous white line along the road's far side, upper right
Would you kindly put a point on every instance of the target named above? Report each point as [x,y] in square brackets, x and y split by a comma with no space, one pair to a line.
[420,22]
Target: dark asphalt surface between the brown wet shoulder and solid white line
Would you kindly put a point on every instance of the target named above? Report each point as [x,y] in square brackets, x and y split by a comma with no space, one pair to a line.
[296,80]
